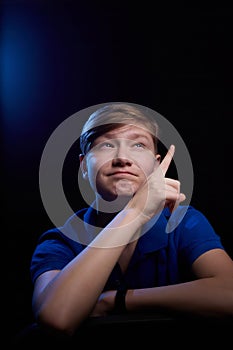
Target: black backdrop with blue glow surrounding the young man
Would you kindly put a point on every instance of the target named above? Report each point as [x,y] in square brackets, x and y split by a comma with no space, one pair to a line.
[59,57]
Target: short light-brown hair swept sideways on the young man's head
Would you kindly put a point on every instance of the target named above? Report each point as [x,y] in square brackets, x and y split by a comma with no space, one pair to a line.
[113,116]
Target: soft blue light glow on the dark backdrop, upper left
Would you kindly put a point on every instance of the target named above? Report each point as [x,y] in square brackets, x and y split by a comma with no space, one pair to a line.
[21,63]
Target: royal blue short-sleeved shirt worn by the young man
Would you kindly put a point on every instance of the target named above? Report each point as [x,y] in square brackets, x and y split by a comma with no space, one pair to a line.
[161,257]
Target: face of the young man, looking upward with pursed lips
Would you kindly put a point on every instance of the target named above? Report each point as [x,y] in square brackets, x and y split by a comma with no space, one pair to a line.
[120,161]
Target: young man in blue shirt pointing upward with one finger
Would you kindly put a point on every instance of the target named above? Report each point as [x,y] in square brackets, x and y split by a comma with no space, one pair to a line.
[129,262]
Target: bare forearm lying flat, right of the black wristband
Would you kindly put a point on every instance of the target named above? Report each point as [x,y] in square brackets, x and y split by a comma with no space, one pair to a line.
[201,297]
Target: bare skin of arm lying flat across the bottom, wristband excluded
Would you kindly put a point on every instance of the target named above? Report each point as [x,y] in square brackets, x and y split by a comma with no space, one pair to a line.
[211,294]
